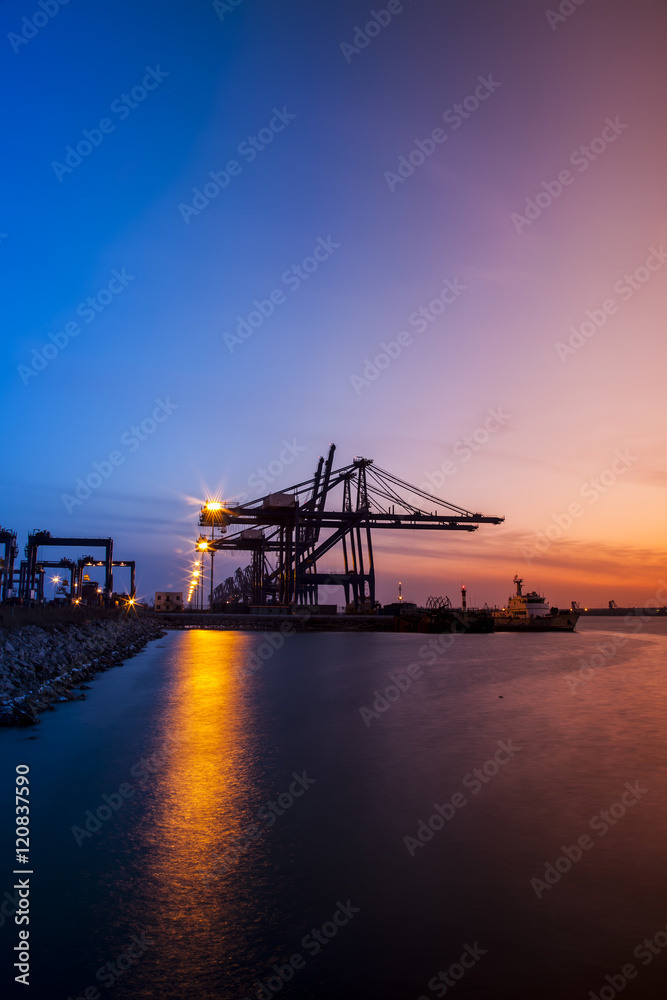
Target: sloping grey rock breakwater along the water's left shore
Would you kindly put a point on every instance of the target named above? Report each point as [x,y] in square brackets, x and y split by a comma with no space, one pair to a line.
[40,665]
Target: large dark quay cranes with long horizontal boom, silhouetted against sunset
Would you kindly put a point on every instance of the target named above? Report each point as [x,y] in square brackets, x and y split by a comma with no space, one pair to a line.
[288,529]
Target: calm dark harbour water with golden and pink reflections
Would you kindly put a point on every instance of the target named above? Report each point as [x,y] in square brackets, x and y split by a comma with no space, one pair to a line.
[224,893]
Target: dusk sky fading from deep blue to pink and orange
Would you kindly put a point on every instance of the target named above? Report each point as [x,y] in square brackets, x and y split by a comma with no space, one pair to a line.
[498,166]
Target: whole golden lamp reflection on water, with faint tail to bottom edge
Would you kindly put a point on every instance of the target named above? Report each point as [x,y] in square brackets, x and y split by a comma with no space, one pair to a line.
[198,806]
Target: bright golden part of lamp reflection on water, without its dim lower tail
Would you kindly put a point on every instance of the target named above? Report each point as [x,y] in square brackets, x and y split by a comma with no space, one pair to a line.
[202,789]
